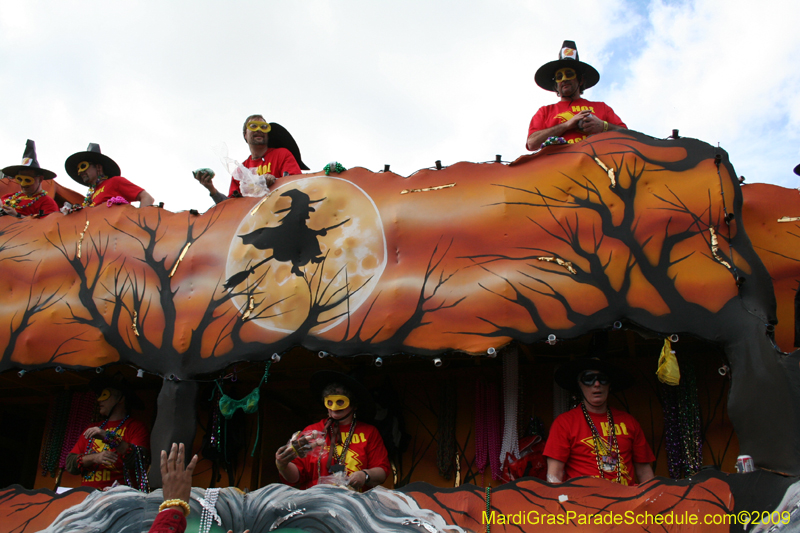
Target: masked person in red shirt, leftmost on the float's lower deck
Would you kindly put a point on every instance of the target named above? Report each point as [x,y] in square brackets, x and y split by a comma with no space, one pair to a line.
[106,453]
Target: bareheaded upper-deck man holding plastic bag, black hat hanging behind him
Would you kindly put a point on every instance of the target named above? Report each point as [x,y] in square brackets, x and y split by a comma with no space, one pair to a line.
[273,154]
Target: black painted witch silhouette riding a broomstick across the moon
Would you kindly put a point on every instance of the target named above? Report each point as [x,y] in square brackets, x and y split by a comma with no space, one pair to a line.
[292,240]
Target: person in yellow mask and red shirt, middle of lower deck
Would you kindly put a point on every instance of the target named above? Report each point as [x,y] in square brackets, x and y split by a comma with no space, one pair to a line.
[358,452]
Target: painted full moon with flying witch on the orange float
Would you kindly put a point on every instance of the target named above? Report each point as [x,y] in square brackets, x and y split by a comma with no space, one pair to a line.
[333,248]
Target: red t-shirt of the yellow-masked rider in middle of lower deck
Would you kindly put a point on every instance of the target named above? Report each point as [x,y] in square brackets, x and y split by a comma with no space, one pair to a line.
[366,451]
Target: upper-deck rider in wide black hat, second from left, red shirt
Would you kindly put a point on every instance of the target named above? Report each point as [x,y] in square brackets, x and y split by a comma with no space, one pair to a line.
[102,175]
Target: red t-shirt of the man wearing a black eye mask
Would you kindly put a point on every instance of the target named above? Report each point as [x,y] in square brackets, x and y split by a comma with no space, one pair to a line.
[570,441]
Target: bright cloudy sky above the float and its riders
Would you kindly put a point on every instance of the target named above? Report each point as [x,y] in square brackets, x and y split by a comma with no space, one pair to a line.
[163,86]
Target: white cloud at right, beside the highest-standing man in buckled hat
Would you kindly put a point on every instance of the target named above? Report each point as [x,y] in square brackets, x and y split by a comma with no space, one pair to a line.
[720,71]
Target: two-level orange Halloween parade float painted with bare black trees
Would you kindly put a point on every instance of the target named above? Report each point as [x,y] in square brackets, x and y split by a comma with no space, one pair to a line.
[454,294]
